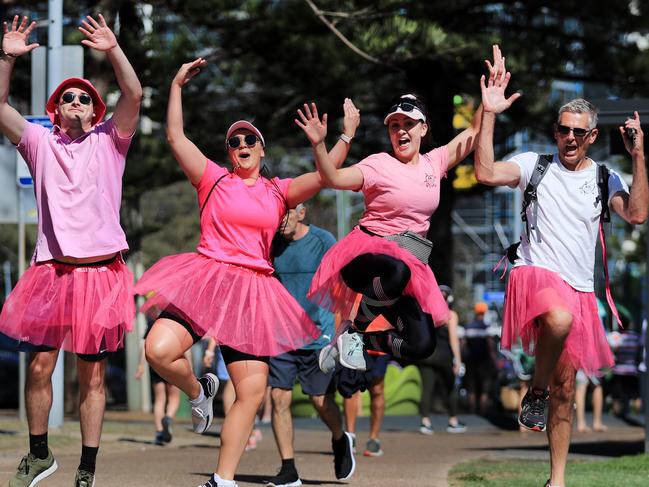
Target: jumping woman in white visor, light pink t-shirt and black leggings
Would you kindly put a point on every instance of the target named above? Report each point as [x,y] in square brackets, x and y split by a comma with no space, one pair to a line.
[401,191]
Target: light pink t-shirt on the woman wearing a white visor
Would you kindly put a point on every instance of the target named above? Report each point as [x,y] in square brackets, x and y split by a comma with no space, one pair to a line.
[400,197]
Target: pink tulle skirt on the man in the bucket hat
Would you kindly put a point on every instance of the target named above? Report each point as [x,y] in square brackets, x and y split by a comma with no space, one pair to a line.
[84,309]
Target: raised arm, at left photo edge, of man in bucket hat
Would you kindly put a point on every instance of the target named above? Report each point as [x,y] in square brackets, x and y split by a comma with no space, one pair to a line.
[14,44]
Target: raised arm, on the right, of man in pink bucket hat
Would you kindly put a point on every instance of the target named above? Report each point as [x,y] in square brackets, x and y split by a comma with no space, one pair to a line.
[101,38]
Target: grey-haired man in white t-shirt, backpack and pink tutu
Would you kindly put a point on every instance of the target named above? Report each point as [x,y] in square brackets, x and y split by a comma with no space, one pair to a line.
[550,304]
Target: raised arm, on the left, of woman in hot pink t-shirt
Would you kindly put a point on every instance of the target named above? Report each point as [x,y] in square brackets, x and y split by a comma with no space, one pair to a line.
[192,161]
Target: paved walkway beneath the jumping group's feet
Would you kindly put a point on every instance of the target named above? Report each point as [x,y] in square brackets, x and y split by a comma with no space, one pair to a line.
[128,457]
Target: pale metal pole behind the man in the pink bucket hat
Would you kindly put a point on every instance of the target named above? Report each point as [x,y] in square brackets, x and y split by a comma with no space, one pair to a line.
[55,42]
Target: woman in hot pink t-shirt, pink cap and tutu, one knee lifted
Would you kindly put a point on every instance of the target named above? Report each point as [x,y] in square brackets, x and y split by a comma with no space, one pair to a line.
[226,289]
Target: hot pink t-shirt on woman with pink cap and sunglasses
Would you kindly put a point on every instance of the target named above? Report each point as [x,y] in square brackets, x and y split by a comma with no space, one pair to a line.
[239,221]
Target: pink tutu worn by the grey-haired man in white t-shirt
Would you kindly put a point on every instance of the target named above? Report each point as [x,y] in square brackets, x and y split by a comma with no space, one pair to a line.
[533,291]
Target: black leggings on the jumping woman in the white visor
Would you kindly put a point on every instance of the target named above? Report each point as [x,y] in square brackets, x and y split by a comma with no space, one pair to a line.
[381,280]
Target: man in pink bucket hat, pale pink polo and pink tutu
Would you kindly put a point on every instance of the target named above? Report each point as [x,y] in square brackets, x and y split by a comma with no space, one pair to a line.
[77,294]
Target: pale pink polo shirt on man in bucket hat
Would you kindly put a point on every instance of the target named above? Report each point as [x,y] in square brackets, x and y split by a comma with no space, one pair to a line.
[78,188]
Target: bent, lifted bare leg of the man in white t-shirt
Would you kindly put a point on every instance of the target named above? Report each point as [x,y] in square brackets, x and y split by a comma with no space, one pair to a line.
[555,327]
